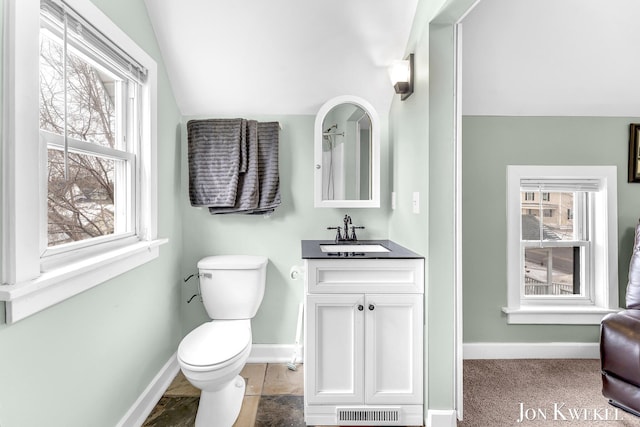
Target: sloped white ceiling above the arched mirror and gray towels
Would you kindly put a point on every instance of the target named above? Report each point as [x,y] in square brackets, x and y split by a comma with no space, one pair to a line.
[233,57]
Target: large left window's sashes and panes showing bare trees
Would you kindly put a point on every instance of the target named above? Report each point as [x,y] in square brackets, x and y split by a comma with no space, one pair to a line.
[89,128]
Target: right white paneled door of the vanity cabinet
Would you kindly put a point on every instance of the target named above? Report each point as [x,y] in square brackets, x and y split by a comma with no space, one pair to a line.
[394,348]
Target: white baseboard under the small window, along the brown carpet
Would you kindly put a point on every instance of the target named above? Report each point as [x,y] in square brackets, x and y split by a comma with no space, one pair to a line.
[520,350]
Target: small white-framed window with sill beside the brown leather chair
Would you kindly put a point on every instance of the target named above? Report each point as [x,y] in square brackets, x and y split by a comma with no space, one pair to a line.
[561,268]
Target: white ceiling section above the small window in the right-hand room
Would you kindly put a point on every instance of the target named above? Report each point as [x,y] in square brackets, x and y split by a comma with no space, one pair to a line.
[550,57]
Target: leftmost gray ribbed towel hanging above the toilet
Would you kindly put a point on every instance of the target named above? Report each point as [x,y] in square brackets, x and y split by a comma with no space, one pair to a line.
[214,158]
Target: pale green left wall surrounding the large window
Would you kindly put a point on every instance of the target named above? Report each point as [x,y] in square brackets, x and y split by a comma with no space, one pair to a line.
[86,360]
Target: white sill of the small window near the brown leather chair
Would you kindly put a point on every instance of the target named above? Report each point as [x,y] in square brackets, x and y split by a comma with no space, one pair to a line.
[557,315]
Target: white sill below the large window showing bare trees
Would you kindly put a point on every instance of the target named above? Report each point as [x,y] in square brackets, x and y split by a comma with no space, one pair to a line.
[57,285]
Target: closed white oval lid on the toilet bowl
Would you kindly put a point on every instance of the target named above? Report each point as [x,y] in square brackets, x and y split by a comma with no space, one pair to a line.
[215,342]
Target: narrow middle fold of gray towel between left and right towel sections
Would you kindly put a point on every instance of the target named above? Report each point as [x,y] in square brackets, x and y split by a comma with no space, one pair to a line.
[248,194]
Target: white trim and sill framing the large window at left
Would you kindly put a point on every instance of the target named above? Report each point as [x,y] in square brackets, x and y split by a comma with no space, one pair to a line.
[24,288]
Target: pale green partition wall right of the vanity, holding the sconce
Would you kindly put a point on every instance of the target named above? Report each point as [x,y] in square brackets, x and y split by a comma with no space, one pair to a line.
[421,159]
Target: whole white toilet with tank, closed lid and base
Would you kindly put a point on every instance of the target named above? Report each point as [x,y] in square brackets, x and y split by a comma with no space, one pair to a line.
[212,355]
